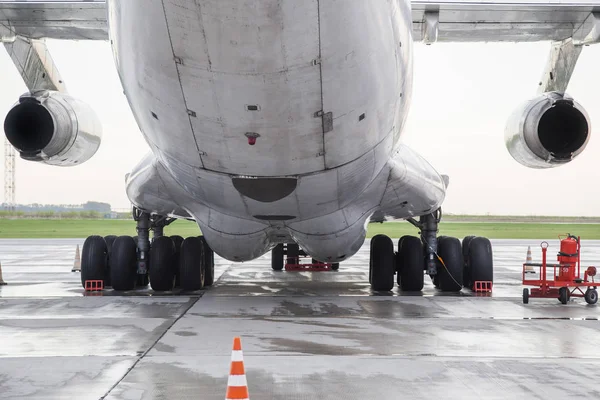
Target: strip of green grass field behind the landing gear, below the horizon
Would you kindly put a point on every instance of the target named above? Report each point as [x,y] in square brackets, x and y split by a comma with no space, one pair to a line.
[77,228]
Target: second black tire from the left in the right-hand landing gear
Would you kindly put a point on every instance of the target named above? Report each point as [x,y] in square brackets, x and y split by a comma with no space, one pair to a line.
[411,277]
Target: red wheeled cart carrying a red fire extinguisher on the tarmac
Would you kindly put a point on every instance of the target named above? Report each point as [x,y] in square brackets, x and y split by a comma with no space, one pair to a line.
[563,279]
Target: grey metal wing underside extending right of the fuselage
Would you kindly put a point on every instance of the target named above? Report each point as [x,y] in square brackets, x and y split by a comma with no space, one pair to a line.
[505,20]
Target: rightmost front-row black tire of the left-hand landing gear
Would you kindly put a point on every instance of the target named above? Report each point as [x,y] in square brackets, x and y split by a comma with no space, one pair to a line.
[191,264]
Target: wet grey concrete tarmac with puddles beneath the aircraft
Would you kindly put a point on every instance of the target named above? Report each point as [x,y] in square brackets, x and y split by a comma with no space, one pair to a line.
[322,335]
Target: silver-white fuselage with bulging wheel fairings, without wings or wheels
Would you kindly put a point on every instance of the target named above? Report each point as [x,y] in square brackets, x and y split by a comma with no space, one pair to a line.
[273,121]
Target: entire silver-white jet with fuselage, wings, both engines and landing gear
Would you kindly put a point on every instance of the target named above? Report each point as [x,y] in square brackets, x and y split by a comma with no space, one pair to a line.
[277,124]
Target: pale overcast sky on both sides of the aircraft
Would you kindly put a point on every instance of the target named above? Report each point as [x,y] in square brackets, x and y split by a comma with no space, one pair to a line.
[462,98]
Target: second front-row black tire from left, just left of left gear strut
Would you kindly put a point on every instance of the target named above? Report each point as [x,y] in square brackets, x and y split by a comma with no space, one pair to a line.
[123,272]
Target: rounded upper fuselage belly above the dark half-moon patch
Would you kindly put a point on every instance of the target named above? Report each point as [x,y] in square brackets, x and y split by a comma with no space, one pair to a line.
[317,83]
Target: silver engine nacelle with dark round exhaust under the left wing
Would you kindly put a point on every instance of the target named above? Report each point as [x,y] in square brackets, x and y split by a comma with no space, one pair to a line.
[53,128]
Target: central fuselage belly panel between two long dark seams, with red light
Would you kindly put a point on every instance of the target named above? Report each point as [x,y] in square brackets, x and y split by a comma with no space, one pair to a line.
[247,69]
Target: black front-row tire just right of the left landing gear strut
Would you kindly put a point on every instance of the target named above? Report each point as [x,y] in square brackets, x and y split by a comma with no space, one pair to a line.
[162,264]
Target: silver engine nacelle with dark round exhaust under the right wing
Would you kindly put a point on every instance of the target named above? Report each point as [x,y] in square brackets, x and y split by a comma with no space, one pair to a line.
[548,131]
